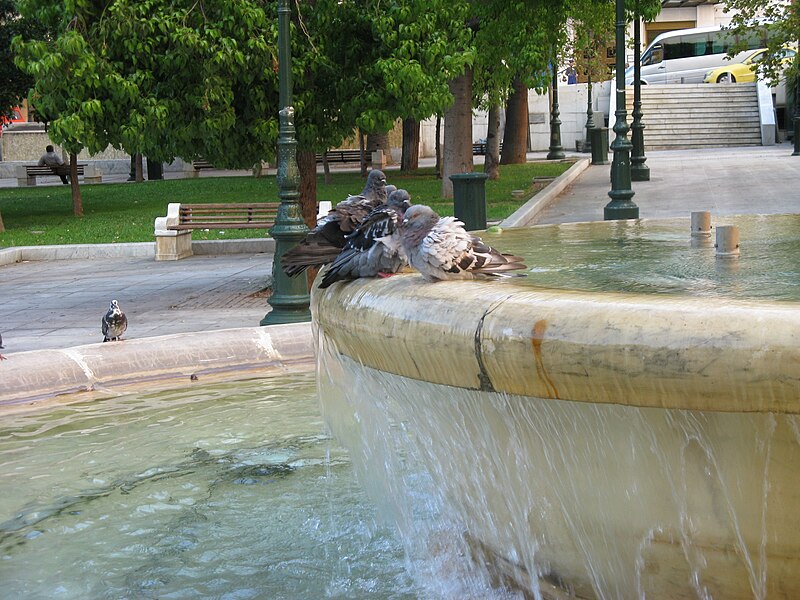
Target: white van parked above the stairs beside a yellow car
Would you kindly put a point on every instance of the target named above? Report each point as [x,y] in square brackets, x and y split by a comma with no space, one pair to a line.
[686,55]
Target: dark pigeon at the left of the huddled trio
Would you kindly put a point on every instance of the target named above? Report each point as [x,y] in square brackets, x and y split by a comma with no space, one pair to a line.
[324,243]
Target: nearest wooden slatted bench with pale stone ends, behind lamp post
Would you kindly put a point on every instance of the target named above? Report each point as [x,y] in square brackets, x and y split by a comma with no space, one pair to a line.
[173,232]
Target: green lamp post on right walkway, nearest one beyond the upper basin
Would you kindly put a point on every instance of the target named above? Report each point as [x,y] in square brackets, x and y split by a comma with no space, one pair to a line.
[621,205]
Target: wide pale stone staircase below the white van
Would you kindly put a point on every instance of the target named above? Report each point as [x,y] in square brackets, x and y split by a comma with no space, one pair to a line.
[703,115]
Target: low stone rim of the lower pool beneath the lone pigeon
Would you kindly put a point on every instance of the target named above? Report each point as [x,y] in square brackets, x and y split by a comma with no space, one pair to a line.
[36,379]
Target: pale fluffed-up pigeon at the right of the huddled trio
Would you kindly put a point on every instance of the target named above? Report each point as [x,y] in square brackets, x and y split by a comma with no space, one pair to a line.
[441,249]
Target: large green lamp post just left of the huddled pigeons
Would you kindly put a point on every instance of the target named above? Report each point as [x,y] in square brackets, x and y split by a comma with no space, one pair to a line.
[290,299]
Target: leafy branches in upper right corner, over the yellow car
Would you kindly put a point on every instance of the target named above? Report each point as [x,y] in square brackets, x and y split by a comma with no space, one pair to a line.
[780,19]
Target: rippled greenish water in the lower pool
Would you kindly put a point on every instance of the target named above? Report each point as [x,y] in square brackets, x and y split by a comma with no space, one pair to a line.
[227,491]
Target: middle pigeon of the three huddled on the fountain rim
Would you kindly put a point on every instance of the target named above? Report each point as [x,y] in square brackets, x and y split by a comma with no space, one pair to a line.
[374,248]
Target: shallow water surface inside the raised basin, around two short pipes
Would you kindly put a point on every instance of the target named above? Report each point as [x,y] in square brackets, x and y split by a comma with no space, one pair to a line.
[661,257]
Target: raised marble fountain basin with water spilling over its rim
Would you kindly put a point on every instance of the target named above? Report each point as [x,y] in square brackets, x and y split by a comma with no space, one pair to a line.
[622,424]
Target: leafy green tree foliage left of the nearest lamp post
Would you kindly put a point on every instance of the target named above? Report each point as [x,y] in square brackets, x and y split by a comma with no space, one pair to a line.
[159,78]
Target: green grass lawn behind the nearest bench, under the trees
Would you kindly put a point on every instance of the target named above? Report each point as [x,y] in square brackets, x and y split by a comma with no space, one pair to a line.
[124,212]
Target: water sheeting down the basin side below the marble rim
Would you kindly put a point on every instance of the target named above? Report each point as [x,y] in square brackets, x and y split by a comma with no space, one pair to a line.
[559,498]
